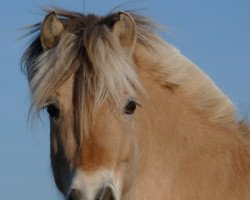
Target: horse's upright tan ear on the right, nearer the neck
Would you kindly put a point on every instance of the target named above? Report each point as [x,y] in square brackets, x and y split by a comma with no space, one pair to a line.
[125,29]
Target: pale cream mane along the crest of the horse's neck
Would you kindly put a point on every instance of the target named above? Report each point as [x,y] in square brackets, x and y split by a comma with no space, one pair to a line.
[169,68]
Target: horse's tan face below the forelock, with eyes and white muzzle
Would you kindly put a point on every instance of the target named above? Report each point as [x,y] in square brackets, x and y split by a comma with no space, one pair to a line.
[95,167]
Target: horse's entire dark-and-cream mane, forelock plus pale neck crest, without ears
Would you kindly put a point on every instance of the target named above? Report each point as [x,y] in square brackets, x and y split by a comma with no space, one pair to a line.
[90,53]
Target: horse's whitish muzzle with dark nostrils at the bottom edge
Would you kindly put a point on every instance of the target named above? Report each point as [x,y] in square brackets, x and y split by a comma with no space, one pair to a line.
[98,185]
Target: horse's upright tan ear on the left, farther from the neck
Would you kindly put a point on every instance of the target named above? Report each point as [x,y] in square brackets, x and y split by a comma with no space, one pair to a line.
[51,31]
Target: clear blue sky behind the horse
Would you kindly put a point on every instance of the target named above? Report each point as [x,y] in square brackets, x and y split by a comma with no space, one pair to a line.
[214,34]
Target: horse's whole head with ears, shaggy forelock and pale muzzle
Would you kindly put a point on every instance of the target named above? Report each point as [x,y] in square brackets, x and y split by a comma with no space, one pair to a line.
[90,162]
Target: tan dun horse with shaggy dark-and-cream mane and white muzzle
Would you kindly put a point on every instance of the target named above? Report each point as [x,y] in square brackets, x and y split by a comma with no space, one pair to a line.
[131,118]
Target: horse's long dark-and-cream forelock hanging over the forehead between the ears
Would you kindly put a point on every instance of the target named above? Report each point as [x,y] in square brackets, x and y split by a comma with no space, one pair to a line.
[88,52]
